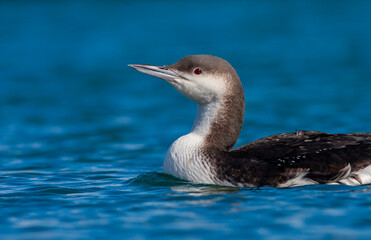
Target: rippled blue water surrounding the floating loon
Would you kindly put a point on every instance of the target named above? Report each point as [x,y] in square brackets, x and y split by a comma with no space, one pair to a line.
[82,136]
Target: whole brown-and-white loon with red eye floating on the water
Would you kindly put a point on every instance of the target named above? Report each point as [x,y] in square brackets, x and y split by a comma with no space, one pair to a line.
[205,155]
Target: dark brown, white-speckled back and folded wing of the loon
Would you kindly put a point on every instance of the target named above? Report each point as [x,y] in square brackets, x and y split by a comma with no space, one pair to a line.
[323,157]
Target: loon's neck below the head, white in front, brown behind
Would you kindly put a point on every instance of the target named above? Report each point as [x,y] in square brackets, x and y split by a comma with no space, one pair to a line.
[219,122]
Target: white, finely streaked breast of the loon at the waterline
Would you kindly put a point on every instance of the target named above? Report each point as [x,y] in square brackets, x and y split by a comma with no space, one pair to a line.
[185,160]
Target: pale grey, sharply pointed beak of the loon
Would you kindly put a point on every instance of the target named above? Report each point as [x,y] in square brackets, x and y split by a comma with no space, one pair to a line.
[156,71]
